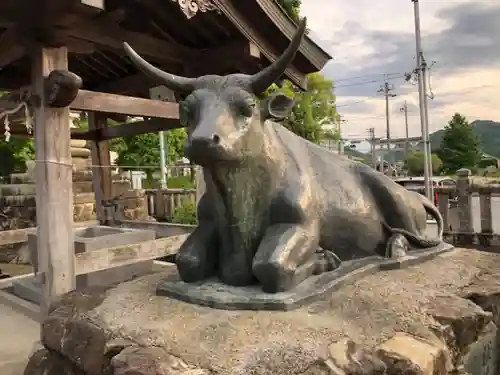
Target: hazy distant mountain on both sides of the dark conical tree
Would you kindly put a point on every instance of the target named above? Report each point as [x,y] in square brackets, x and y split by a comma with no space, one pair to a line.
[487,131]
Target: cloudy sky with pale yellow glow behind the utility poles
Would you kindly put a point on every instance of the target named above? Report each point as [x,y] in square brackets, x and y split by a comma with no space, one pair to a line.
[371,40]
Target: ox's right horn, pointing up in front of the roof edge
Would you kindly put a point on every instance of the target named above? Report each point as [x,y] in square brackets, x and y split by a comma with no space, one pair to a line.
[259,82]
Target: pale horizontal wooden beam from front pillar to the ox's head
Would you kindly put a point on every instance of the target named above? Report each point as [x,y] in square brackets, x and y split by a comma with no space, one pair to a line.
[127,105]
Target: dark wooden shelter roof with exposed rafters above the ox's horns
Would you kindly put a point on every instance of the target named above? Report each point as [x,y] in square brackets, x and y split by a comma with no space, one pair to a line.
[214,41]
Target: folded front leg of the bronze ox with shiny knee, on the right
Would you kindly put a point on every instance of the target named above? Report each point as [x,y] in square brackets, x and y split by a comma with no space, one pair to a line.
[285,256]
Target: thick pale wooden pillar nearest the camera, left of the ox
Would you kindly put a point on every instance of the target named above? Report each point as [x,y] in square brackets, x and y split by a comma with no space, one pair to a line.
[54,189]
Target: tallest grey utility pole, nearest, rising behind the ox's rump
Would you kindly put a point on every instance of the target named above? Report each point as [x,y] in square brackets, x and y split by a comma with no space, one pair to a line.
[422,96]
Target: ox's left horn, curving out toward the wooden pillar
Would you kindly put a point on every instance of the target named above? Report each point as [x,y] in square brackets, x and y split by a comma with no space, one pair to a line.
[175,83]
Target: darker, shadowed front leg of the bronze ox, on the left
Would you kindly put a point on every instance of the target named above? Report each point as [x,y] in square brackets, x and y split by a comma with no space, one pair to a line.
[197,256]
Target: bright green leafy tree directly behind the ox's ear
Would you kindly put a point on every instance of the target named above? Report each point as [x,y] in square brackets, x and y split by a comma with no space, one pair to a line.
[313,109]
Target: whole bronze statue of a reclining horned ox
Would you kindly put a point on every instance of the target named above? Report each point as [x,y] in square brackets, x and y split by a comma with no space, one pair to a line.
[278,208]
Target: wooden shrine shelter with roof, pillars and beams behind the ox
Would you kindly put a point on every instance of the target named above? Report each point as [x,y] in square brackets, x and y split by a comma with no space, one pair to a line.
[57,55]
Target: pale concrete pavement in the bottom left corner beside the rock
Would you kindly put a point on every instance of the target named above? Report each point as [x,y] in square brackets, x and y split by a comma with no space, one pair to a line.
[18,335]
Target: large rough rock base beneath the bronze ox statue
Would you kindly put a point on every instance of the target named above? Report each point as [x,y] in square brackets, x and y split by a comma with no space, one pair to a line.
[435,318]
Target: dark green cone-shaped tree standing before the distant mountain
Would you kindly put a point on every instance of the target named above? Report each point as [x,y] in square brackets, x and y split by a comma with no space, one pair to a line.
[460,148]
